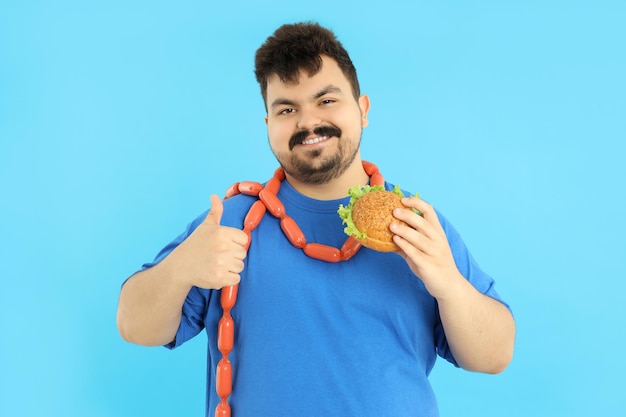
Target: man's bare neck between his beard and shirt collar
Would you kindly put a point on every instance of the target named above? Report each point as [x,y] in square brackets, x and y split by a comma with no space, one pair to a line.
[334,189]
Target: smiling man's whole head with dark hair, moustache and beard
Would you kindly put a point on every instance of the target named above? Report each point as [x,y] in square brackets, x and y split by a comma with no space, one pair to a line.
[315,113]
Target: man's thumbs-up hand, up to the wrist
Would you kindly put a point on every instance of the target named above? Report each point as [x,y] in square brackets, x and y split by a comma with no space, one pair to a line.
[212,256]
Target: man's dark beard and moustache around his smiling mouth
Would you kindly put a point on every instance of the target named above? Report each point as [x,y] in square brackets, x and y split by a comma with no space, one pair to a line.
[314,167]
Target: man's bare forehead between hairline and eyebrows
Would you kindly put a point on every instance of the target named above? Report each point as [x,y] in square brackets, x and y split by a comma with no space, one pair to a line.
[307,86]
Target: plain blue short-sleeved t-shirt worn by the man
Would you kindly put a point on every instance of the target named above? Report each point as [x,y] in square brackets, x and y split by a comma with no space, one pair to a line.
[354,338]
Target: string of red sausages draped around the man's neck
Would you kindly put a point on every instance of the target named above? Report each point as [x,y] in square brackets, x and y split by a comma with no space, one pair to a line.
[268,201]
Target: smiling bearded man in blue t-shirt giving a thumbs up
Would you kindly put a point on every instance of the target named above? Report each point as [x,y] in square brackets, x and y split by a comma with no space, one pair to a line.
[357,337]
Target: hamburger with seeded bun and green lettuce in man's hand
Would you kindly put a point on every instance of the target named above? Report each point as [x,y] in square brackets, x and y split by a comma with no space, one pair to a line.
[369,213]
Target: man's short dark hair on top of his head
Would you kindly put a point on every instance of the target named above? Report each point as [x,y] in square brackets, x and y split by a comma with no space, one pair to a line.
[299,46]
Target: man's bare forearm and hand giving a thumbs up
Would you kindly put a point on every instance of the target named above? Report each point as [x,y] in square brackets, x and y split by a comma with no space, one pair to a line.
[151,301]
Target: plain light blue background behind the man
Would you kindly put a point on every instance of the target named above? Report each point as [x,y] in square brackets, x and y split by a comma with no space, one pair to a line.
[119,119]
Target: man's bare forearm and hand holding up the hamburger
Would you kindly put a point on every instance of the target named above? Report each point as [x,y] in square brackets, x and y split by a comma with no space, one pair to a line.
[480,330]
